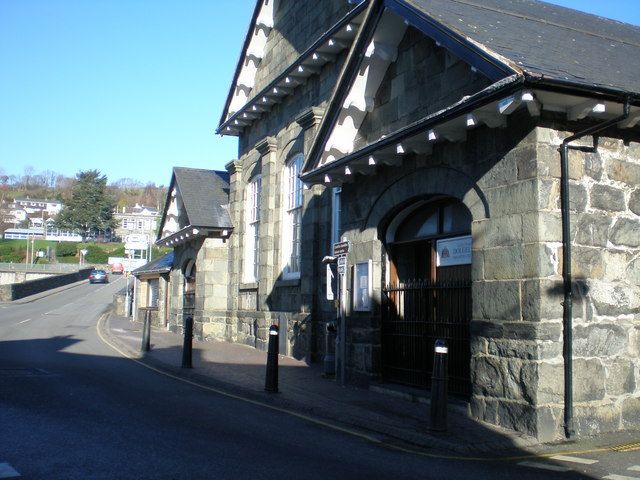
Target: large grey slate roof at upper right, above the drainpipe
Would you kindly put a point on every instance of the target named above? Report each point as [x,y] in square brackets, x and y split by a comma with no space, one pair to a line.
[546,40]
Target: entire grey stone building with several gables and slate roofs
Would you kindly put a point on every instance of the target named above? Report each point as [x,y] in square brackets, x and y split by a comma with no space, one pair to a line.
[482,165]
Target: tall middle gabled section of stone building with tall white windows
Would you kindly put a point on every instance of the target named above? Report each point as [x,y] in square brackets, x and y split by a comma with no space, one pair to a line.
[289,65]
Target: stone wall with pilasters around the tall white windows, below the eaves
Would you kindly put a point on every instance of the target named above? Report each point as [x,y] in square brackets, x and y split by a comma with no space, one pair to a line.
[253,306]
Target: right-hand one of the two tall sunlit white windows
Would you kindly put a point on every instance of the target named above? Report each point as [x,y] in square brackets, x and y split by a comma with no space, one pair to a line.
[292,221]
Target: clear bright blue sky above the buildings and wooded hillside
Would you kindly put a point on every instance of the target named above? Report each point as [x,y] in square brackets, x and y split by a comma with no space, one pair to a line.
[131,88]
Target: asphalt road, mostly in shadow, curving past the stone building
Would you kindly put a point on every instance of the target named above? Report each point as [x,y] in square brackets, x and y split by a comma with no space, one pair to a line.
[72,408]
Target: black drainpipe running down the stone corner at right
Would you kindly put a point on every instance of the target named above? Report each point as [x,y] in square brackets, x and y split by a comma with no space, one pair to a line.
[567,315]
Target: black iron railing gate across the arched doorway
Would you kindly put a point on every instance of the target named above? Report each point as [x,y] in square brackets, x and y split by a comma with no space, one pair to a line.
[414,315]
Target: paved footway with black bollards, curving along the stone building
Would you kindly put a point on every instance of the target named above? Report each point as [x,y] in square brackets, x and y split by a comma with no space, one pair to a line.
[382,414]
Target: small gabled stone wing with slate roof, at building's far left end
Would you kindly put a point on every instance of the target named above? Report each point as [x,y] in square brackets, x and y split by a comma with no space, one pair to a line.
[196,224]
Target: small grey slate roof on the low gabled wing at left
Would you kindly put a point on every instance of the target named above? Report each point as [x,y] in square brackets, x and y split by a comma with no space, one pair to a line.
[205,195]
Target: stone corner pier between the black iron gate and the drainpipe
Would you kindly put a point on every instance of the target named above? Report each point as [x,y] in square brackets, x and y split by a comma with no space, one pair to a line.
[514,265]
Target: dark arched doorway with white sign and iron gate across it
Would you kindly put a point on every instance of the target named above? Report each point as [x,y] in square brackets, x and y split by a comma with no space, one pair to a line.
[428,295]
